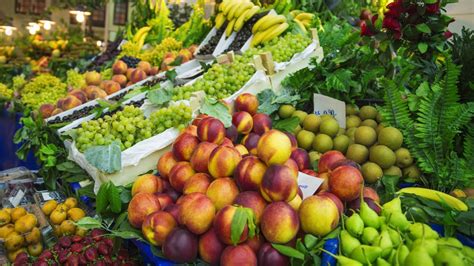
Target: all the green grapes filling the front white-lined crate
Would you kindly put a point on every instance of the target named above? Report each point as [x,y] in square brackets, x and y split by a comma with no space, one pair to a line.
[130,126]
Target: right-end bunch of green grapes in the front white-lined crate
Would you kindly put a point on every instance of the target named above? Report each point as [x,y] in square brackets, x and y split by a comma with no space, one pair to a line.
[176,116]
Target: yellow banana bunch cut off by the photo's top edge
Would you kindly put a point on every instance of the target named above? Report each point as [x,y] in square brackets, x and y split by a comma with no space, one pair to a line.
[236,12]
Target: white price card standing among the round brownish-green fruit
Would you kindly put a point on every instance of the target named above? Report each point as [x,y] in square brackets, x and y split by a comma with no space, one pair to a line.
[324,105]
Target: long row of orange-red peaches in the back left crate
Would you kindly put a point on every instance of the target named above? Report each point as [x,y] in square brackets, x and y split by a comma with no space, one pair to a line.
[96,87]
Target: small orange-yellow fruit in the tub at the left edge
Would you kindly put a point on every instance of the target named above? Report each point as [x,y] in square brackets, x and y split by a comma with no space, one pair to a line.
[19,232]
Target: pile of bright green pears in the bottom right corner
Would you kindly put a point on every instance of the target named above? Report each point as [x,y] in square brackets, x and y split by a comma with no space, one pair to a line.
[391,239]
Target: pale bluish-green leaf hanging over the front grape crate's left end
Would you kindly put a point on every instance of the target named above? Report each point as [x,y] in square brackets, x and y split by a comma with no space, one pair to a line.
[106,158]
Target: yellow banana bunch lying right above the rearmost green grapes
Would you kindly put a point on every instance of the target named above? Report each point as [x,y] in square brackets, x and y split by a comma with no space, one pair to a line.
[267,28]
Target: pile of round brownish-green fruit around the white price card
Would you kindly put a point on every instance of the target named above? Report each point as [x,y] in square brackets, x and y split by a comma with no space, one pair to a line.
[366,141]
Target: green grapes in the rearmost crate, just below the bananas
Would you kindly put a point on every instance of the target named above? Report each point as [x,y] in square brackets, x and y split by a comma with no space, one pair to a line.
[282,48]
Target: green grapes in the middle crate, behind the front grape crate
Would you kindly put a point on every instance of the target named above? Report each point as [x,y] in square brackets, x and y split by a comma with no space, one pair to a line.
[220,81]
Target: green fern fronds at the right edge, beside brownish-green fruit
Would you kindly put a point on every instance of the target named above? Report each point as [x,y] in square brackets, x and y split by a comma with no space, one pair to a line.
[430,132]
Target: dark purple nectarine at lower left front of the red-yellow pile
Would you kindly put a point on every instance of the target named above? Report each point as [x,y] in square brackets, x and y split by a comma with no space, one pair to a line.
[181,246]
